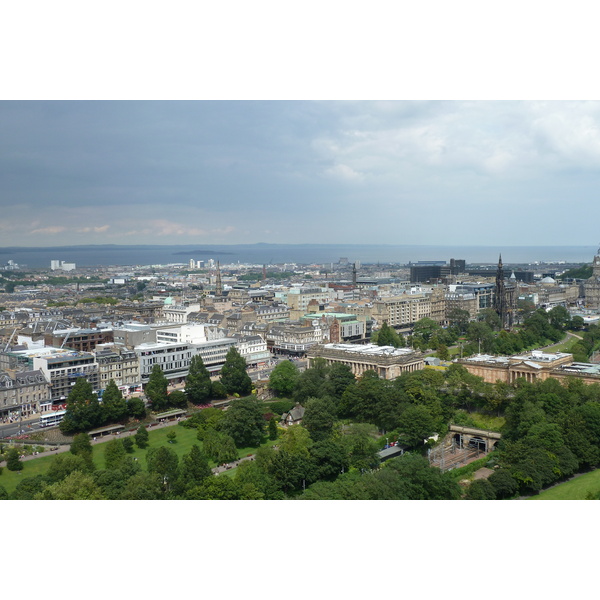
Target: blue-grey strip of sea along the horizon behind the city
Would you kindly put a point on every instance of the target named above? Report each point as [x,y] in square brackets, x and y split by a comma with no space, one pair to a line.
[89,256]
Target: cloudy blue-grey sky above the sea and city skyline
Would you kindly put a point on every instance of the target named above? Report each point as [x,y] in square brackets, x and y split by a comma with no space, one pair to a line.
[405,172]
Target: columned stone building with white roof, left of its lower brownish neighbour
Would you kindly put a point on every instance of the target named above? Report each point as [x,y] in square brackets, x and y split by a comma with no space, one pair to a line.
[388,362]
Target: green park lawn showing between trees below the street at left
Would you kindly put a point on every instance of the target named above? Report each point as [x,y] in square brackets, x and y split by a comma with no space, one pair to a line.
[186,438]
